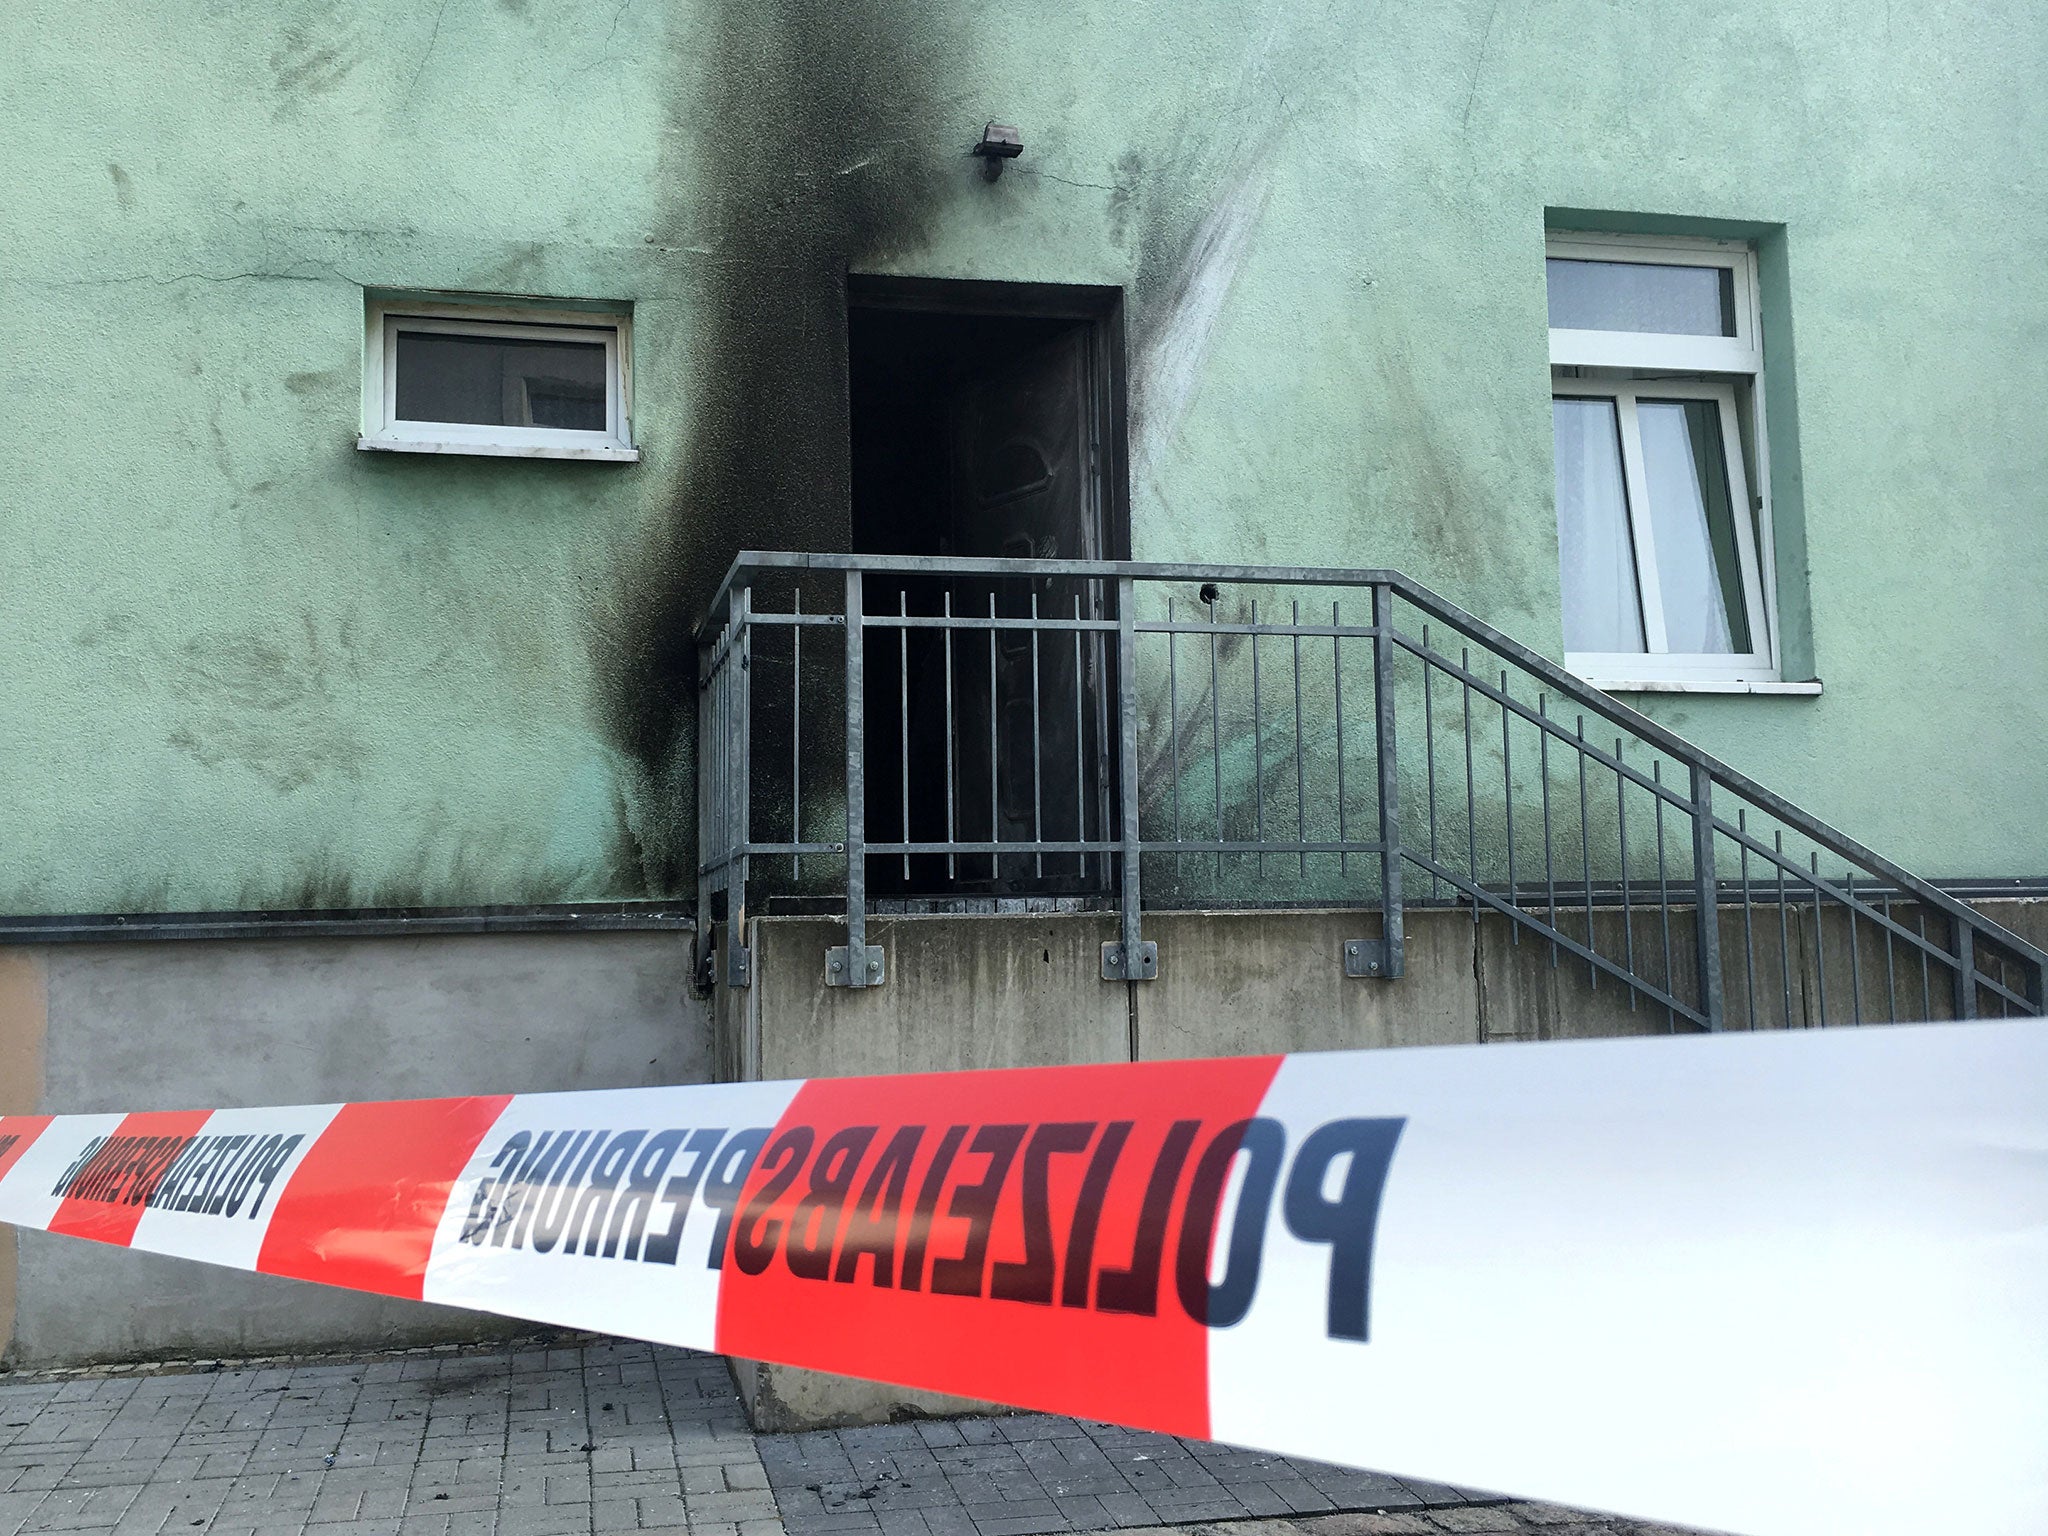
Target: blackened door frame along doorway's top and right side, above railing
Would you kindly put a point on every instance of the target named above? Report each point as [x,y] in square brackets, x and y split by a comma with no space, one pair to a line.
[1101,308]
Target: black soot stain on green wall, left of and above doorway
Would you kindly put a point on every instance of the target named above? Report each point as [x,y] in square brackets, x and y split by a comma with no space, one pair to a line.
[806,138]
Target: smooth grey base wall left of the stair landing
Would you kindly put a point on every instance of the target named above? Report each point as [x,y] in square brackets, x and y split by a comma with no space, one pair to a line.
[214,1025]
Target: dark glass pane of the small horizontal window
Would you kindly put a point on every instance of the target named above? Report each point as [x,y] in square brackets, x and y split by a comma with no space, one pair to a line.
[501,382]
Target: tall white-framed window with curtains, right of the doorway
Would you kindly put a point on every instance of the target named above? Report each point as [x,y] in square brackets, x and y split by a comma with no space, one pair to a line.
[1656,411]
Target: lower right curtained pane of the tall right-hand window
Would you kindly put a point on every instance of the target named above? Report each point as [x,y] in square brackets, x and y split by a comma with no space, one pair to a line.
[1699,570]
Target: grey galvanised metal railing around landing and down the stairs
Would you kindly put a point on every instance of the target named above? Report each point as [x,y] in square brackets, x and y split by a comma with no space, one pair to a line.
[1146,736]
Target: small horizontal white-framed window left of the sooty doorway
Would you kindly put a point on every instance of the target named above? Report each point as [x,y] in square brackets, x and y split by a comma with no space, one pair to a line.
[503,382]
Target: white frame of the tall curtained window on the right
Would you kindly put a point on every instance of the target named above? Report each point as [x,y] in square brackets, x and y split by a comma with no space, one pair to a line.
[1613,366]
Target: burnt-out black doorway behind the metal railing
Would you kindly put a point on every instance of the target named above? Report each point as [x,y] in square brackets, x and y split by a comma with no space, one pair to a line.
[988,423]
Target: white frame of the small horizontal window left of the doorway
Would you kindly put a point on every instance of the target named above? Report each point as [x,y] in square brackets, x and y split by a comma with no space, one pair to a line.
[386,431]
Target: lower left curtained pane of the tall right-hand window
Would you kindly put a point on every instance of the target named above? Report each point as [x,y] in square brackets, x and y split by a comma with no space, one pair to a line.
[1594,548]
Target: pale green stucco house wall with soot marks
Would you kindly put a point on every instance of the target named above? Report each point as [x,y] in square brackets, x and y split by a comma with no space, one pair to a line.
[251,667]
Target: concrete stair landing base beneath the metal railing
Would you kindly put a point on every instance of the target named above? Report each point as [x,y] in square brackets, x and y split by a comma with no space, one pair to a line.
[1013,992]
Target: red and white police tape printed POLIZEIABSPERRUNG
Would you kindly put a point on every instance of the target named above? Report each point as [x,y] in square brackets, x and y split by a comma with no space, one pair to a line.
[1770,1283]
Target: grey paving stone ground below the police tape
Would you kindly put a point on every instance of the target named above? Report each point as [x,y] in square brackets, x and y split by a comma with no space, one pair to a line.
[597,1437]
